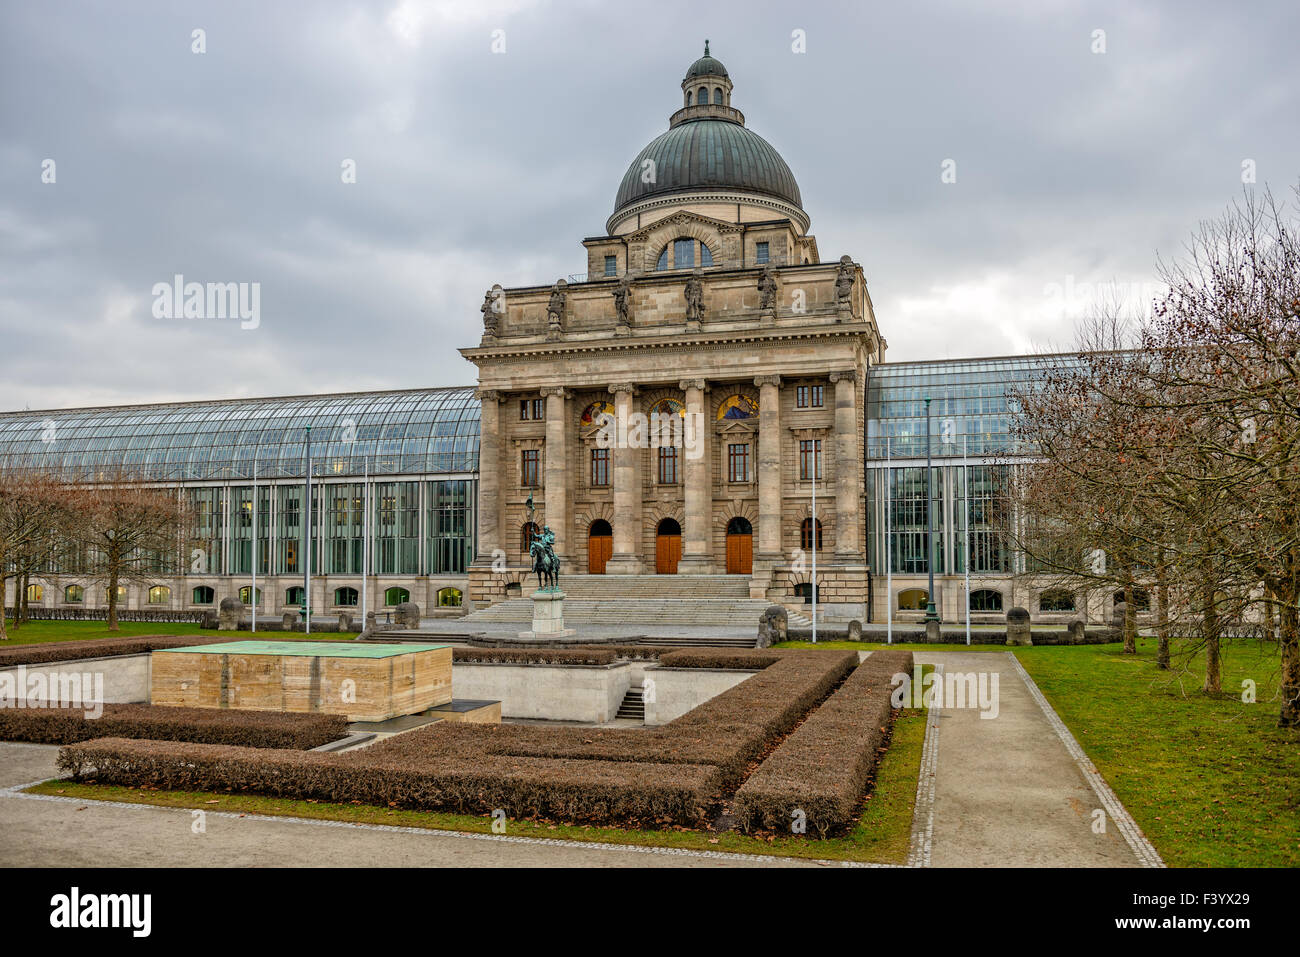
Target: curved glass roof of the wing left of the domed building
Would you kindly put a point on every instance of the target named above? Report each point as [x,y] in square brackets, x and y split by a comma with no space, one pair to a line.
[415,432]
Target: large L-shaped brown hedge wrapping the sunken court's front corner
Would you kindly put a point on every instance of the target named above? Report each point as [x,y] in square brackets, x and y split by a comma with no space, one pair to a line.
[671,774]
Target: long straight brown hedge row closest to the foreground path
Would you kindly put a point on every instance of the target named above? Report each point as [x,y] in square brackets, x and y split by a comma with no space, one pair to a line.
[525,787]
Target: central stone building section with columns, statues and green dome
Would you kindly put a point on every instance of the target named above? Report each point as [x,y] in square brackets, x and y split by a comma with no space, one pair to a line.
[671,412]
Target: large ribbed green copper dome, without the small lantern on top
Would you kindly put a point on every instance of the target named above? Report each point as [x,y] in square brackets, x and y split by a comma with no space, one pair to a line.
[709,154]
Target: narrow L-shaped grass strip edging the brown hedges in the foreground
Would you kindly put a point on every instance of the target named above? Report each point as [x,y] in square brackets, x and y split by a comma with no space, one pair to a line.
[881,835]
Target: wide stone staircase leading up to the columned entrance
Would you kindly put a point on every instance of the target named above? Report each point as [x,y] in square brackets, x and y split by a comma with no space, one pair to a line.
[664,600]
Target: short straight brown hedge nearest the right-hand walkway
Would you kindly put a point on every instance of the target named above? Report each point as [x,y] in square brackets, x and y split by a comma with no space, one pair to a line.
[825,767]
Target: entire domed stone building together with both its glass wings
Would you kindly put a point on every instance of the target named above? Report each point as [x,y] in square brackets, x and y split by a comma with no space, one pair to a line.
[671,413]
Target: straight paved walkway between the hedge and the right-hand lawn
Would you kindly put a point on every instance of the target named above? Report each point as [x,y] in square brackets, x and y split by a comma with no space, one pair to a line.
[1011,791]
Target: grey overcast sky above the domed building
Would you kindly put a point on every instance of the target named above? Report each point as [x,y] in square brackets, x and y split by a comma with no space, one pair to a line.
[1073,168]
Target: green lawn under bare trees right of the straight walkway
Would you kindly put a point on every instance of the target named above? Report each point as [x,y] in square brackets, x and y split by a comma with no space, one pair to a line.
[1214,782]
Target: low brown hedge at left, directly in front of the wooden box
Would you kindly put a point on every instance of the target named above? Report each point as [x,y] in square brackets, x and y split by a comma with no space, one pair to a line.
[194,725]
